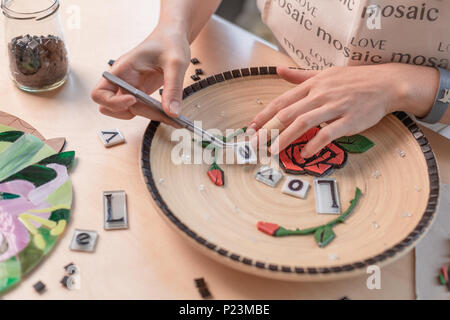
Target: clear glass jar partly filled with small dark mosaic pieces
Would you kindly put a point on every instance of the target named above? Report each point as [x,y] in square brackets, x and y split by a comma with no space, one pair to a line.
[35,43]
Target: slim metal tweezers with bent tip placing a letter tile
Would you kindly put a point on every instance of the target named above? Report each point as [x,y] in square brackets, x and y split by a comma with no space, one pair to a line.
[156,106]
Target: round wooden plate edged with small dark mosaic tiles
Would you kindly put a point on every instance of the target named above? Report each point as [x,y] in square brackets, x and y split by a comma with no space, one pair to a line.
[396,208]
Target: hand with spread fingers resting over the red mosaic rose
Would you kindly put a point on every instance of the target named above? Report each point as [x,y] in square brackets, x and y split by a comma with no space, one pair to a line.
[349,99]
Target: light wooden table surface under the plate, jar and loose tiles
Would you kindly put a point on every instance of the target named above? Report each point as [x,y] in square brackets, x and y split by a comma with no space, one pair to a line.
[150,260]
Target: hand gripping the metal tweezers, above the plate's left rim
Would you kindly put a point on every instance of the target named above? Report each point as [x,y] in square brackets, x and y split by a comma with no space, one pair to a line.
[162,59]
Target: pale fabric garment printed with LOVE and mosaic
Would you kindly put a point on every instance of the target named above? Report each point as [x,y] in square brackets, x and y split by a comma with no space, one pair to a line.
[322,33]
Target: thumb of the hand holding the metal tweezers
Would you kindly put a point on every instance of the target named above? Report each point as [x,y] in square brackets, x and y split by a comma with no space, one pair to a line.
[173,88]
